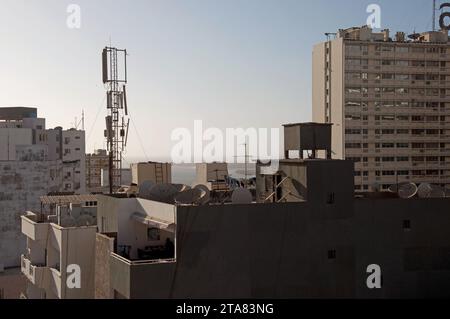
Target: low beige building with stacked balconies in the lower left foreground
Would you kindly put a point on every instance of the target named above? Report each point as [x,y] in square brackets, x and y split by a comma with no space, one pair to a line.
[60,235]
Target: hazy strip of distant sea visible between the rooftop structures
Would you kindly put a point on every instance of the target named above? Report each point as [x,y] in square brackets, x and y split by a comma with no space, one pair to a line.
[185,173]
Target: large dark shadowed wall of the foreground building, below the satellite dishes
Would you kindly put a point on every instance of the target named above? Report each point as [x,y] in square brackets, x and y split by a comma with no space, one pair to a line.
[281,251]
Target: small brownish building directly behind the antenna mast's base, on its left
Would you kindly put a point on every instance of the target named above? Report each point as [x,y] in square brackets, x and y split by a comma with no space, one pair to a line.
[95,164]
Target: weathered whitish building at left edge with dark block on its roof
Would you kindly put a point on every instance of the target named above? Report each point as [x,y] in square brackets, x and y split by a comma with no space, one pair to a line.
[26,174]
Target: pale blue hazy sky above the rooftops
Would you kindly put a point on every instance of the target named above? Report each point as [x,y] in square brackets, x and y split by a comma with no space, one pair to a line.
[229,63]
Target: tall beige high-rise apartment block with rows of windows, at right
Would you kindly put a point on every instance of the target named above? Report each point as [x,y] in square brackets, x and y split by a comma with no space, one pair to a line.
[388,99]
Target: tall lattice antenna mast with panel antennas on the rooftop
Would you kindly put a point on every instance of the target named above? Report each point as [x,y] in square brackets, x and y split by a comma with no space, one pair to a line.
[115,78]
